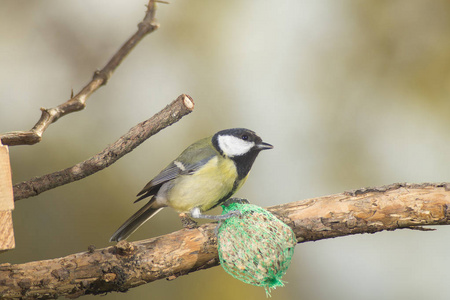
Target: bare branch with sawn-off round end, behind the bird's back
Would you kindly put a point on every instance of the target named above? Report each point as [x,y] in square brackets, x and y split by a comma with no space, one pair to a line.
[180,107]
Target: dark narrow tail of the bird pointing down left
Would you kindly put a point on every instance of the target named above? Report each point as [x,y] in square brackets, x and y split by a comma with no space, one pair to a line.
[135,221]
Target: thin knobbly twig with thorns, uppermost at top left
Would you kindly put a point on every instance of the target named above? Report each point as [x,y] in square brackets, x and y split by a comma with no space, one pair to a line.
[77,103]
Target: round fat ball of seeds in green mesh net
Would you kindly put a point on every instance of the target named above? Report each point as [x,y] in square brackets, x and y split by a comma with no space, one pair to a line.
[255,247]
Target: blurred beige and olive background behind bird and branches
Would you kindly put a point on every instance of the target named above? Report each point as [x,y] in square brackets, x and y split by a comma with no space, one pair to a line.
[351,93]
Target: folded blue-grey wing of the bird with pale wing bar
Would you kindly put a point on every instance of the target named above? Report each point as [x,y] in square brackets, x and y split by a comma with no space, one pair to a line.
[171,172]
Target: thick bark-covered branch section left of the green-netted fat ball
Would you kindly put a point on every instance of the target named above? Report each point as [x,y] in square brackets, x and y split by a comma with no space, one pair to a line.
[116,268]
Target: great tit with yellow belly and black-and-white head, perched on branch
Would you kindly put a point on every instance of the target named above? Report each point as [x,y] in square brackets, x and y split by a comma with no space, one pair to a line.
[205,175]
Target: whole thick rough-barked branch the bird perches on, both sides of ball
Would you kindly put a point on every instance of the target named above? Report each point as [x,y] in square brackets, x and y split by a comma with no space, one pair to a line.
[127,265]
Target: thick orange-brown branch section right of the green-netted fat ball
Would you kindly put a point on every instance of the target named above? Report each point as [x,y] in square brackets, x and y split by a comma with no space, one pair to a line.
[368,210]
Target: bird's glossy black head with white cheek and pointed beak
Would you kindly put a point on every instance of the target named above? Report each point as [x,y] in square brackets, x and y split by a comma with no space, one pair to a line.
[240,145]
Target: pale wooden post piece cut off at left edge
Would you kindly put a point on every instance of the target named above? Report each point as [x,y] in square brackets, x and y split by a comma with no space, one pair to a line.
[6,201]
